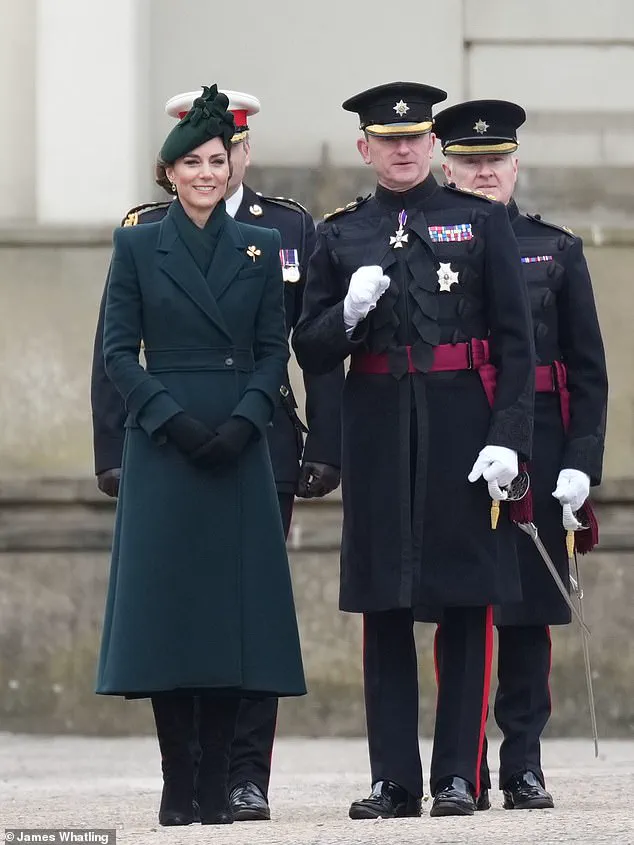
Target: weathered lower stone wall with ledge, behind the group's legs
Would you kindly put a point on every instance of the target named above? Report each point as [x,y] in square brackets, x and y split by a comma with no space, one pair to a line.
[54,557]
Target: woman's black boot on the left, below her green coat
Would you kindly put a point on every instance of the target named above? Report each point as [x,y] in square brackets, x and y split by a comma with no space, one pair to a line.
[173,716]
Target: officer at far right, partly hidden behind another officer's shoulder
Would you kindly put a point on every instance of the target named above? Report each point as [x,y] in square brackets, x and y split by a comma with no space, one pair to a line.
[479,140]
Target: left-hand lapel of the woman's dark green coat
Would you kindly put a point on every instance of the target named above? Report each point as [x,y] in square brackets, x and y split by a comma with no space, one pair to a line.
[177,263]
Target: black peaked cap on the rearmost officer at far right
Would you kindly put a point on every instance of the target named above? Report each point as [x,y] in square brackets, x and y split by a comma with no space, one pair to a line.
[479,127]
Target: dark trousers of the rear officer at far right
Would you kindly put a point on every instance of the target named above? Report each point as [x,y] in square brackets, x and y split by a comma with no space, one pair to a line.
[522,701]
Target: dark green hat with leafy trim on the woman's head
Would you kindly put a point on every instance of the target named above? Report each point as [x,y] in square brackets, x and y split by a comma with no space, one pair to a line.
[208,118]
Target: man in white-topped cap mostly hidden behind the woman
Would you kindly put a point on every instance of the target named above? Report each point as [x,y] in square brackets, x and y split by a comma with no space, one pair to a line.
[307,469]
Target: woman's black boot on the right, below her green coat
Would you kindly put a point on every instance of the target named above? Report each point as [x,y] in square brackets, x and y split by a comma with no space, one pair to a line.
[217,723]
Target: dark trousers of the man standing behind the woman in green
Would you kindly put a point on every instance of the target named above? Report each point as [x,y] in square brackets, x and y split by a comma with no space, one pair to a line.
[252,746]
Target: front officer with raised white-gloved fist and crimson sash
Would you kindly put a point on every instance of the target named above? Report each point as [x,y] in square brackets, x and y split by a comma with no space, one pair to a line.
[421,285]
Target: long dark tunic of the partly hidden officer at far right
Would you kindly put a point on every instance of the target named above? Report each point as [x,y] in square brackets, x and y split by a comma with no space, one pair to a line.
[566,329]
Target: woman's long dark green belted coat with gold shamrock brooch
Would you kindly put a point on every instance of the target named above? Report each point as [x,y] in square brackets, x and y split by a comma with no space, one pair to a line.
[200,594]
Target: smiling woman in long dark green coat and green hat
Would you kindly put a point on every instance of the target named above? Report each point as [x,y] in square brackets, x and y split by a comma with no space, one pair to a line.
[200,605]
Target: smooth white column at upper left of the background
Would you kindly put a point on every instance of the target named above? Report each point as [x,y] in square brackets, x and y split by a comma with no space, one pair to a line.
[92,109]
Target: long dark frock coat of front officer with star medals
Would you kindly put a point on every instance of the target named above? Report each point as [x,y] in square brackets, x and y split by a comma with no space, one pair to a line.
[415,530]
